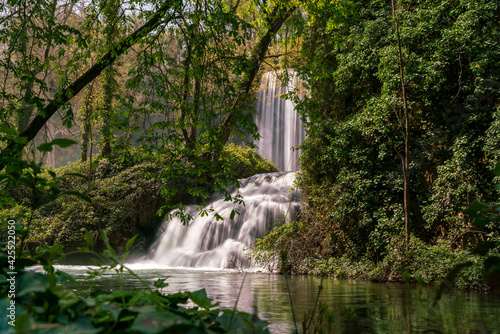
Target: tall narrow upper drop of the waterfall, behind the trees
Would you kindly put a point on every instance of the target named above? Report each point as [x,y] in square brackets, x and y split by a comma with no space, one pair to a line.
[279,125]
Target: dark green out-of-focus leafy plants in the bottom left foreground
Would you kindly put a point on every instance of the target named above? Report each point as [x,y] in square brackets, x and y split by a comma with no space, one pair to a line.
[45,303]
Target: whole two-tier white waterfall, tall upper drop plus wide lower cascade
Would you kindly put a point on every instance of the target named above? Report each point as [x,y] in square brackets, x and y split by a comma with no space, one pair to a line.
[209,243]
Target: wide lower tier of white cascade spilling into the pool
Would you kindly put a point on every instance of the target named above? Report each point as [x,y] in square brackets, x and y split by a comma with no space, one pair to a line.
[206,242]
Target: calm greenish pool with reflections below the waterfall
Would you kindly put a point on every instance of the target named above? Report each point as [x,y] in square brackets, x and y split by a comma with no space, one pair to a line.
[358,306]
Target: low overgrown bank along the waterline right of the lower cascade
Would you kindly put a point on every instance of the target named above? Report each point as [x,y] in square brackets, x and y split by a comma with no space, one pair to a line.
[422,263]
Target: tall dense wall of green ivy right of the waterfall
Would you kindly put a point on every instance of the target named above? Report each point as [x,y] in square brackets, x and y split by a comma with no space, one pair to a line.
[352,158]
